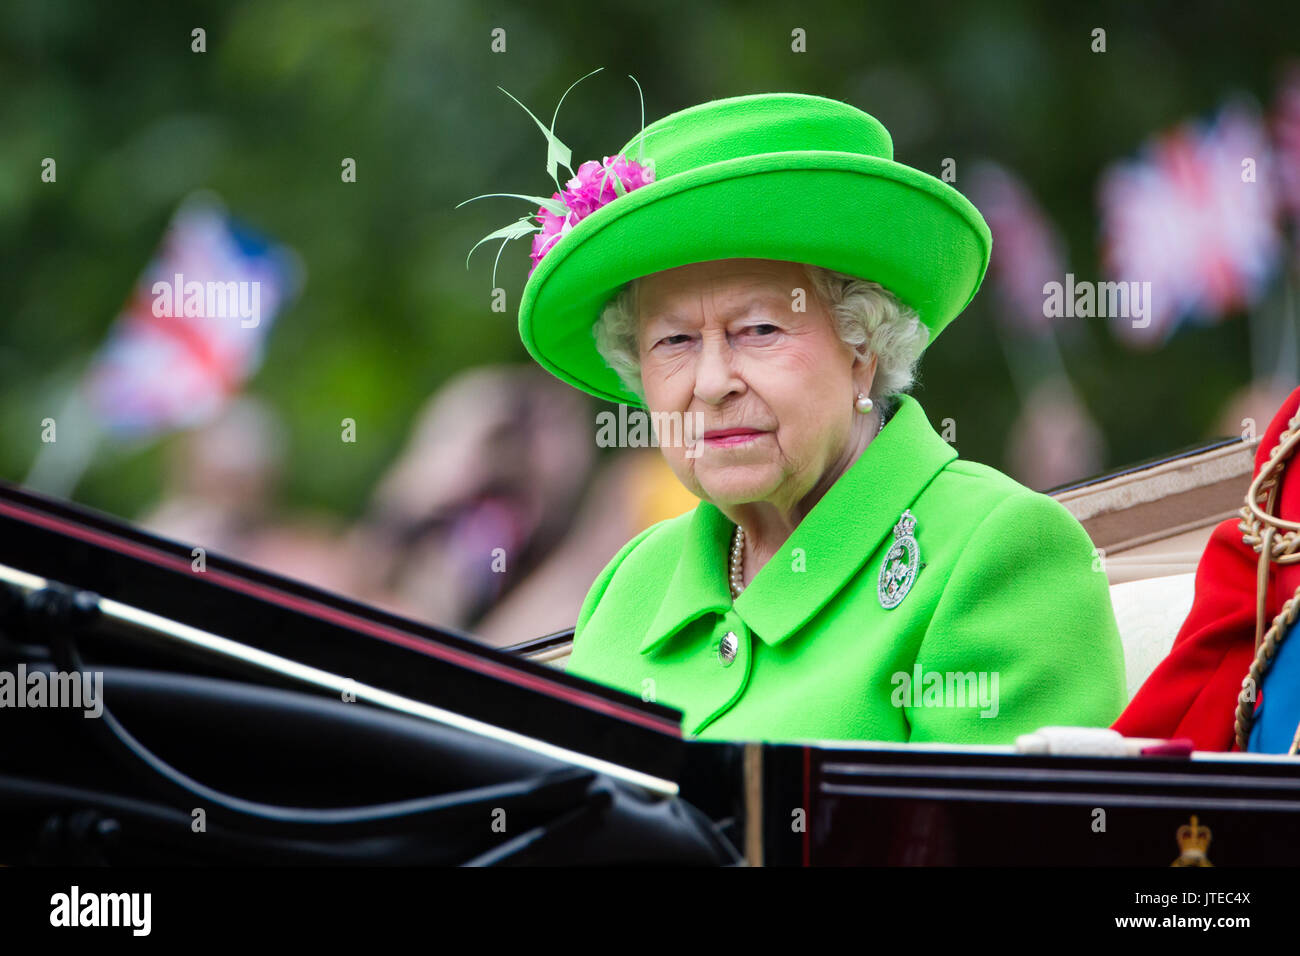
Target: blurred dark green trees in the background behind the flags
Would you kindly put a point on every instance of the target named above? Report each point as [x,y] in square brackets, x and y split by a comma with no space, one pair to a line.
[289,88]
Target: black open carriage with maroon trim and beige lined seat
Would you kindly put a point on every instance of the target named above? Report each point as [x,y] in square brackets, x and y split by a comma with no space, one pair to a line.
[245,717]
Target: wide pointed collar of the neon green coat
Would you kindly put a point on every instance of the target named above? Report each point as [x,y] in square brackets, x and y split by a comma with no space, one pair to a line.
[838,537]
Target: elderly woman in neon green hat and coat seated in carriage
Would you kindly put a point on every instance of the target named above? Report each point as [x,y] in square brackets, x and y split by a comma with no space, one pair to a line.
[768,275]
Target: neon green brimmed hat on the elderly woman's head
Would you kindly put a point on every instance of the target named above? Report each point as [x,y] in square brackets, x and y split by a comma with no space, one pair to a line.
[772,176]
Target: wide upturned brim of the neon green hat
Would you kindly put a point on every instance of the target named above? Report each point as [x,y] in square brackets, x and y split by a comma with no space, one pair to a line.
[865,217]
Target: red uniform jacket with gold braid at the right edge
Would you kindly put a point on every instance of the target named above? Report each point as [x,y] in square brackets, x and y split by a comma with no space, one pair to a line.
[1193,694]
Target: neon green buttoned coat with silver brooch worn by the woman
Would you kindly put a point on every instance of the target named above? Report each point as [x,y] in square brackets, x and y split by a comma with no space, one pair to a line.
[1007,628]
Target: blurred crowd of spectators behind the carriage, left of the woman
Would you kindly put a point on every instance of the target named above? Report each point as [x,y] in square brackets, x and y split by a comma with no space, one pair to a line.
[493,521]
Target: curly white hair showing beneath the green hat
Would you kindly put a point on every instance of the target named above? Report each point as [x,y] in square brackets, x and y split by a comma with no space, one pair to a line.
[864,314]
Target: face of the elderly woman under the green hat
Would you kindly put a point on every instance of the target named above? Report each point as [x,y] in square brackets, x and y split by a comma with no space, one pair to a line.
[746,353]
